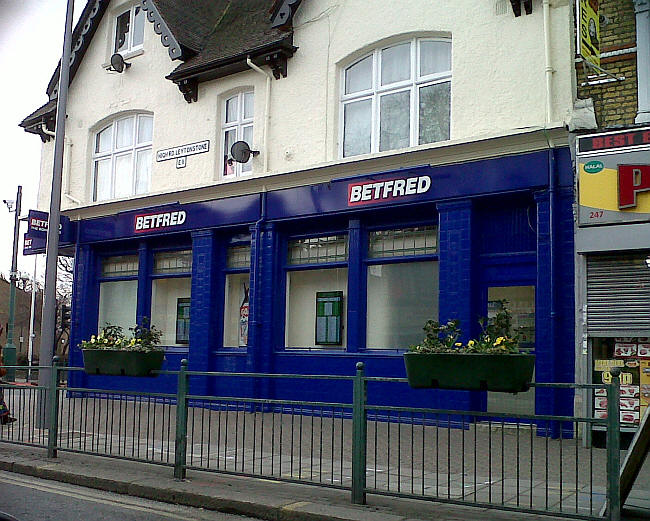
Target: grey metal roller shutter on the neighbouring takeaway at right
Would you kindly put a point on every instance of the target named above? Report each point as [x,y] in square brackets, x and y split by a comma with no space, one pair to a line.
[618,295]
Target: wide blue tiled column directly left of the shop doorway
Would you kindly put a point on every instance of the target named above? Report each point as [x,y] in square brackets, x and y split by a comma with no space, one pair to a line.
[456,296]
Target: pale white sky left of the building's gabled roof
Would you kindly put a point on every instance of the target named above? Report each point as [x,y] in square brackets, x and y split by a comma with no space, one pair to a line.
[31,43]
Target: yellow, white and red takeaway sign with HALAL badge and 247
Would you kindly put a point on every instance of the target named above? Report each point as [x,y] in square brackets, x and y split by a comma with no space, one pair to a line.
[614,177]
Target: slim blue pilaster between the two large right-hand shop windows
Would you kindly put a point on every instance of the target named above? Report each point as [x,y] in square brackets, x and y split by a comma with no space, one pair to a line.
[356,326]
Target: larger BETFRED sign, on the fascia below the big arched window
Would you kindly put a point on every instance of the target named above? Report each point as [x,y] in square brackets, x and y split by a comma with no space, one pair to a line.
[372,192]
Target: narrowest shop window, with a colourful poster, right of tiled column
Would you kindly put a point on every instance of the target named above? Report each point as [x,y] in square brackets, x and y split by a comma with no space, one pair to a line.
[237,288]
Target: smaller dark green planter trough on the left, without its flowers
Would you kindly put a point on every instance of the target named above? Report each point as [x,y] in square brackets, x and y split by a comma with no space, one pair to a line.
[117,362]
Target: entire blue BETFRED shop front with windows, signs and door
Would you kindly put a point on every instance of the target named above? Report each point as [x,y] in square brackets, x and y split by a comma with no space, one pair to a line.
[312,279]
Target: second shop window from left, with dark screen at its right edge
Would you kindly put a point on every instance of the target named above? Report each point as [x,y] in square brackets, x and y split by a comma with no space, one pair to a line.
[170,296]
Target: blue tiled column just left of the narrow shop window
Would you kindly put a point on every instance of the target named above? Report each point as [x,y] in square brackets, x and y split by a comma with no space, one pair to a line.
[205,327]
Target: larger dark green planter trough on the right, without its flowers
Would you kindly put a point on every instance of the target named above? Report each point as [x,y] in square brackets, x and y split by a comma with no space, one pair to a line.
[470,371]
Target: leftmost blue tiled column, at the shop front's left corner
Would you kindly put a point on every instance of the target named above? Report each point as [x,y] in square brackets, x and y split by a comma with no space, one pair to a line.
[84,309]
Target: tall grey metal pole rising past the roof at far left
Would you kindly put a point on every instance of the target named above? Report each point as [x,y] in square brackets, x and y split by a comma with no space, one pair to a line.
[48,322]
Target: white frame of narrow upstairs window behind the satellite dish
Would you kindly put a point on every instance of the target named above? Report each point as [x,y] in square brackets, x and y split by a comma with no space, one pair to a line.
[239,126]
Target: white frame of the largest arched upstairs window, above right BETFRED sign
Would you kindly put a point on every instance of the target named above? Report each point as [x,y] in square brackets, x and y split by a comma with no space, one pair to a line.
[413,85]
